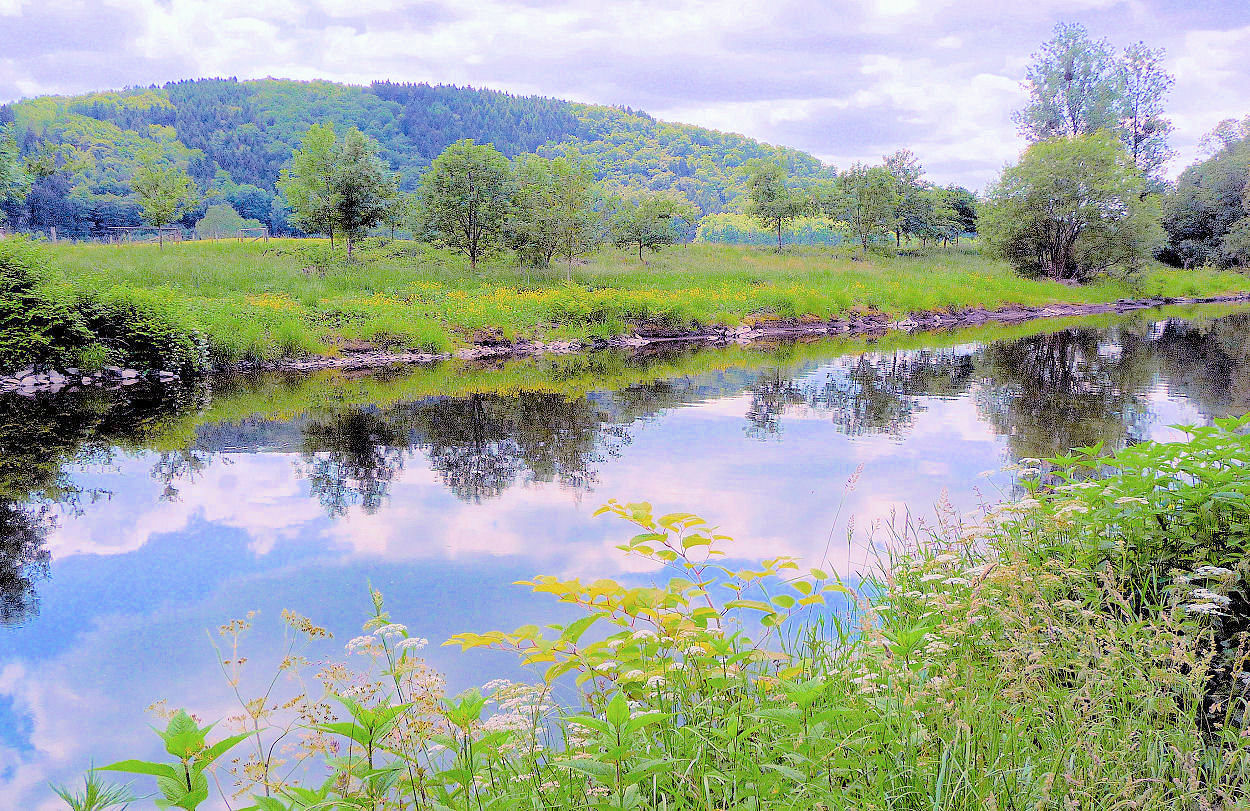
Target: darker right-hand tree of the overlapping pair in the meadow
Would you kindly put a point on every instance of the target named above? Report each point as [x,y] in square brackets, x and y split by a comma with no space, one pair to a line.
[361,187]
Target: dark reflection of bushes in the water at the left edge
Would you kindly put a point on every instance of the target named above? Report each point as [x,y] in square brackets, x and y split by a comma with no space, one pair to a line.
[39,439]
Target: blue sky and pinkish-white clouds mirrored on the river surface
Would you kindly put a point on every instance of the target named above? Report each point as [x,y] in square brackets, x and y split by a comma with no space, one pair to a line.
[138,580]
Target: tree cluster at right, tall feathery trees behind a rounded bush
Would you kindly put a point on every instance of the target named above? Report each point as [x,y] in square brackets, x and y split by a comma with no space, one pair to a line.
[1088,196]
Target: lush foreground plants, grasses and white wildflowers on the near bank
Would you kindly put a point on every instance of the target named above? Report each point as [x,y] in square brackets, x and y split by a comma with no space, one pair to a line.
[1079,648]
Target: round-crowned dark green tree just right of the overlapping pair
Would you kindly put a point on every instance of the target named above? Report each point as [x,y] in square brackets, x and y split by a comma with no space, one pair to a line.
[467,198]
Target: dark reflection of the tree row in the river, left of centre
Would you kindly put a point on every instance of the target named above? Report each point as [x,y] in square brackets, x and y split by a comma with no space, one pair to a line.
[481,445]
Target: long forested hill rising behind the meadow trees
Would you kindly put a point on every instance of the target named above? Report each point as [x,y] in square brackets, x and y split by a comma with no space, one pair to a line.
[236,137]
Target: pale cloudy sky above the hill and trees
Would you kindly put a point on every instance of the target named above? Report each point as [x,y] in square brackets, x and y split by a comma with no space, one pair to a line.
[844,81]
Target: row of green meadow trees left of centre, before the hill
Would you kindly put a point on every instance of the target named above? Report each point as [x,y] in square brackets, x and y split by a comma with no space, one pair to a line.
[476,202]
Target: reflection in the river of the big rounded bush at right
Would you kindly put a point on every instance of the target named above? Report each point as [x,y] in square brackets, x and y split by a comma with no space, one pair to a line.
[1052,393]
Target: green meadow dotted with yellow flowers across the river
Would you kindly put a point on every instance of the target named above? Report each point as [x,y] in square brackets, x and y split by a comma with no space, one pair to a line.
[289,297]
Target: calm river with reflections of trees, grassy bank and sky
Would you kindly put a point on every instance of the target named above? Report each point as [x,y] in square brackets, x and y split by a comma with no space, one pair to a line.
[134,523]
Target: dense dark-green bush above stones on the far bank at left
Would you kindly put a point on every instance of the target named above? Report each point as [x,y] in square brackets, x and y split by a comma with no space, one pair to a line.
[53,338]
